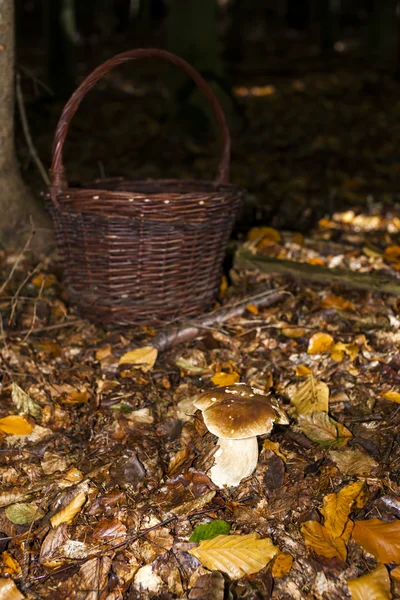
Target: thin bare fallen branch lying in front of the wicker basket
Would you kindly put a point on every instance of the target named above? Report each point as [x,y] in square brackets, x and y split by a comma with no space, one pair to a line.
[183,332]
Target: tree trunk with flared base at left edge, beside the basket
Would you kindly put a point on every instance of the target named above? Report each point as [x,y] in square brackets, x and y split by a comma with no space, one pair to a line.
[17,206]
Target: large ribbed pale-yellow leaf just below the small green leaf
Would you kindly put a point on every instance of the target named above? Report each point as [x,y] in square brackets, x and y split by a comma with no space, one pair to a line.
[235,555]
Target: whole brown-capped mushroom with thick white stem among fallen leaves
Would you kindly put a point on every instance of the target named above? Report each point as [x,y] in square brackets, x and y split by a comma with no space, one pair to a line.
[237,414]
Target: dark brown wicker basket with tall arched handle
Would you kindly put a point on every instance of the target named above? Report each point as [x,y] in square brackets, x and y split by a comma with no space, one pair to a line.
[142,251]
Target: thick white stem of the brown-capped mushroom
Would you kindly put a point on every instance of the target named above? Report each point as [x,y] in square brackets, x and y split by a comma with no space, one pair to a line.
[234,460]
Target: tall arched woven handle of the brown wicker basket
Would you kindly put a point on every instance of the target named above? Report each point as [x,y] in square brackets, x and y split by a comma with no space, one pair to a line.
[57,173]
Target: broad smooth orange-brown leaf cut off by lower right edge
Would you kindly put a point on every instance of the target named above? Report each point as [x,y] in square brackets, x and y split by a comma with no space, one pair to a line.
[380,539]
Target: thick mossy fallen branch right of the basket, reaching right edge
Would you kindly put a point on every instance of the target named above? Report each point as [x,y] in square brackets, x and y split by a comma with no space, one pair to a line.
[374,282]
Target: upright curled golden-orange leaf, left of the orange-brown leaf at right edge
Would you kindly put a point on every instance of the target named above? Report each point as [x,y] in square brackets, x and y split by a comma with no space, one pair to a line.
[337,507]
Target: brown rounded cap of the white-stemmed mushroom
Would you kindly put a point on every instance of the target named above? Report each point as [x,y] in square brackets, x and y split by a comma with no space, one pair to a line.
[236,412]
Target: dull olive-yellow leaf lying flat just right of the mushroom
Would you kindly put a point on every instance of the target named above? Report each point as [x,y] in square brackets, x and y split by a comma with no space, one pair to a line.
[320,428]
